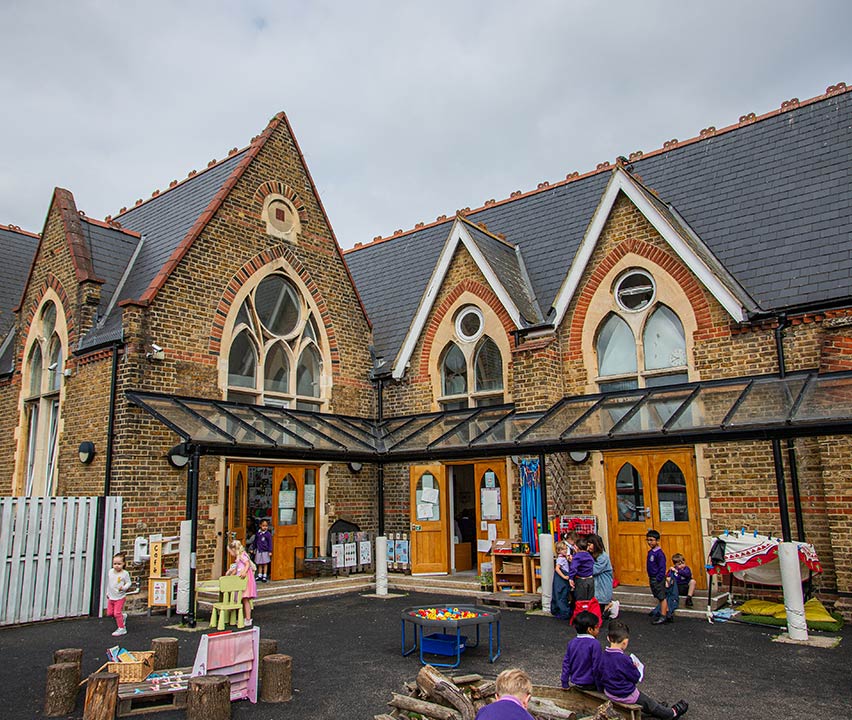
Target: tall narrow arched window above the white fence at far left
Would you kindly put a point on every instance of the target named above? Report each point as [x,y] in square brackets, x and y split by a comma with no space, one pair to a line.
[44,365]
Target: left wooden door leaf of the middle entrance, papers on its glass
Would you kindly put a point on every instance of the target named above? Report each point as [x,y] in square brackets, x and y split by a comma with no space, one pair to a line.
[430,526]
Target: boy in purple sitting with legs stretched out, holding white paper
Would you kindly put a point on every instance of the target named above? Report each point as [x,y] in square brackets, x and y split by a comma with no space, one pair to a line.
[617,675]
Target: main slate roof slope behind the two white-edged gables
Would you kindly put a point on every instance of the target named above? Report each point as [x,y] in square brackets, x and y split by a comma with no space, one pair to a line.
[771,198]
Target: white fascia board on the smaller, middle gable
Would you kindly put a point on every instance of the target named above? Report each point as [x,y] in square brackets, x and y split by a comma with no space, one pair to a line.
[458,234]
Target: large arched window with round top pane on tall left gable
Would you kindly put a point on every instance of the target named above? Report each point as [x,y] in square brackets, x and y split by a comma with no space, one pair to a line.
[275,355]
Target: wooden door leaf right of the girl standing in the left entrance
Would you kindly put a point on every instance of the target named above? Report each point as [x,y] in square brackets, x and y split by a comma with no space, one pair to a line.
[288,533]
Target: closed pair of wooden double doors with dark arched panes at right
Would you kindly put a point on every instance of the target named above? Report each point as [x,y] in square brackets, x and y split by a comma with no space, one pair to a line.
[652,489]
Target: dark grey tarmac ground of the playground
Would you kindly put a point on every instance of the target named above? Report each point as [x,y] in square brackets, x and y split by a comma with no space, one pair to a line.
[347,660]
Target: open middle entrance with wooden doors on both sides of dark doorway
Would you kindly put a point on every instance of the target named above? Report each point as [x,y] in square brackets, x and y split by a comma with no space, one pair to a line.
[453,508]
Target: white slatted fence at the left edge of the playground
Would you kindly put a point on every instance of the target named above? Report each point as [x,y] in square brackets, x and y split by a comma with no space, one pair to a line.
[47,551]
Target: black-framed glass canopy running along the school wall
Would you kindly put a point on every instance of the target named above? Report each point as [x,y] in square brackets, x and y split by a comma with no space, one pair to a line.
[760,407]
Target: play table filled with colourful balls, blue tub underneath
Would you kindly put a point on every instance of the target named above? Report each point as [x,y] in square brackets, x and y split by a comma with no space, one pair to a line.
[449,621]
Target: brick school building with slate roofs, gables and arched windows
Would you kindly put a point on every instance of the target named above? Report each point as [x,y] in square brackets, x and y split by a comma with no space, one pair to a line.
[654,332]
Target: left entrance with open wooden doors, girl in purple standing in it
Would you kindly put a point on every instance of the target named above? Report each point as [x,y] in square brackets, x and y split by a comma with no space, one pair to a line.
[283,495]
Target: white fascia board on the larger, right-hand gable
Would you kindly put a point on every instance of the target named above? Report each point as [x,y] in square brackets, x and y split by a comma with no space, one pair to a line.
[620,181]
